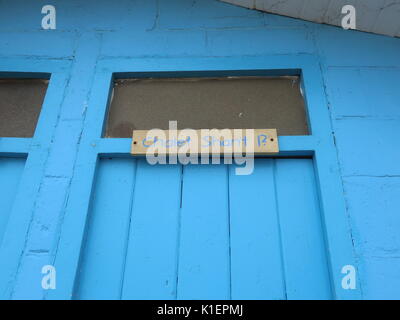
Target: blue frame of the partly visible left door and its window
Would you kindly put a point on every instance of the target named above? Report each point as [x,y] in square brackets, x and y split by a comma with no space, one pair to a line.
[34,150]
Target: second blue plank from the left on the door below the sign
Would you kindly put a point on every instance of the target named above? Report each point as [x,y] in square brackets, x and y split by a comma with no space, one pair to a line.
[151,263]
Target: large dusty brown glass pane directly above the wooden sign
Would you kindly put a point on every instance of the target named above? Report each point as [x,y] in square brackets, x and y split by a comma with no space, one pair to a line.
[207,103]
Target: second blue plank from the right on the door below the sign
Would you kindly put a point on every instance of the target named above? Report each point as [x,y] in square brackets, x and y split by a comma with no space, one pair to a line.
[256,260]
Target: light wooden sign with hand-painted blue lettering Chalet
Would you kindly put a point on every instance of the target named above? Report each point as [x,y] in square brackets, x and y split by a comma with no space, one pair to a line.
[205,141]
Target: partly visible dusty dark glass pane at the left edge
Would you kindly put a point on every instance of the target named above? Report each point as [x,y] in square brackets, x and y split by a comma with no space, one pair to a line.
[20,104]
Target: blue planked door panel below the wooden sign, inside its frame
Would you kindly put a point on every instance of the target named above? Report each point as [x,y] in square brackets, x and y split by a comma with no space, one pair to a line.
[202,232]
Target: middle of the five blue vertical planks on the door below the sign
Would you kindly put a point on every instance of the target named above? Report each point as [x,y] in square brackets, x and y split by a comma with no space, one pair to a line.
[204,262]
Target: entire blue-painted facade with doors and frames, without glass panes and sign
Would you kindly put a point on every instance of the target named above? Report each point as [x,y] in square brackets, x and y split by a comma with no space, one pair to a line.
[350,179]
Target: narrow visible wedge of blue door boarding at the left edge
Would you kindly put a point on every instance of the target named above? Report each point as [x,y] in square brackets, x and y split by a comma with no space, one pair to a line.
[10,174]
